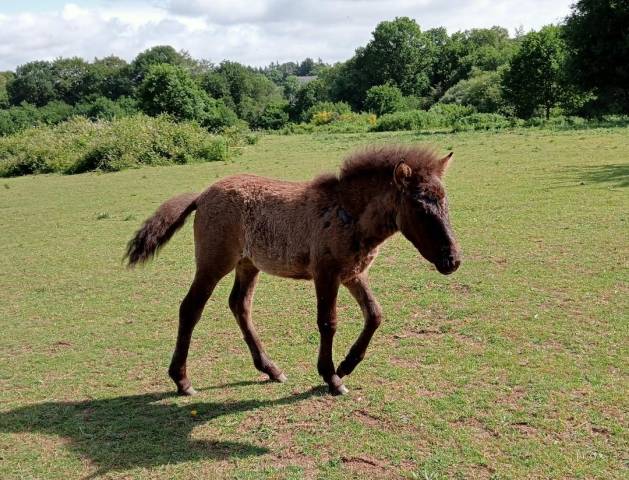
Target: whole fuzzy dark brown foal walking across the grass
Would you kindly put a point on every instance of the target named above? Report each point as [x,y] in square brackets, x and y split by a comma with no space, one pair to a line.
[327,230]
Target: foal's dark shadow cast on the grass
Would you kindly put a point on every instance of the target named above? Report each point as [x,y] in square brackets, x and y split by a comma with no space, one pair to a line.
[138,430]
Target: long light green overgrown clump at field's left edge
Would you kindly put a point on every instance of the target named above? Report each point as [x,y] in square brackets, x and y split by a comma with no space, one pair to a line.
[80,145]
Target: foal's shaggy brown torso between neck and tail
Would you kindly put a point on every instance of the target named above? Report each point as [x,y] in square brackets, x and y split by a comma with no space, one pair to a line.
[271,222]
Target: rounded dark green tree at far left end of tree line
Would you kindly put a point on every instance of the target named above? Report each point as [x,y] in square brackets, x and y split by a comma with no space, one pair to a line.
[33,83]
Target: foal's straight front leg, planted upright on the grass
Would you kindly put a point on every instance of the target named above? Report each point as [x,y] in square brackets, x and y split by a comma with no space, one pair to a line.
[327,288]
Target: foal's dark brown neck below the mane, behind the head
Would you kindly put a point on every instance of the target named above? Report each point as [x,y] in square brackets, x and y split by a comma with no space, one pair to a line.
[372,202]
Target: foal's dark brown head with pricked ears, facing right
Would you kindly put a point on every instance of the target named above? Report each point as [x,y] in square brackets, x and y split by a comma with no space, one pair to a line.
[422,214]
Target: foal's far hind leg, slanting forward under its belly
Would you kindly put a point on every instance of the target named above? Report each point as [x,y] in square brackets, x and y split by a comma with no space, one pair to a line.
[240,301]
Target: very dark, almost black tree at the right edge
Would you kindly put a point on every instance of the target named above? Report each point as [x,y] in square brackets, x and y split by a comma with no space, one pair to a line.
[597,33]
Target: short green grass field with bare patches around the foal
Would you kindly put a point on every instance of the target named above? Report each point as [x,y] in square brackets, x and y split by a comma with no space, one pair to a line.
[513,367]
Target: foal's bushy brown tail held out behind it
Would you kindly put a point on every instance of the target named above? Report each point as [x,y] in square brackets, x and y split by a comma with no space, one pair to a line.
[159,228]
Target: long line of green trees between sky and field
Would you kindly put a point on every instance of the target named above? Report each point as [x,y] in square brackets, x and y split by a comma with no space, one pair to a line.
[580,67]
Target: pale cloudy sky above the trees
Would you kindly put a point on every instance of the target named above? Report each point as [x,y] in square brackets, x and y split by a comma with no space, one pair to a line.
[253,32]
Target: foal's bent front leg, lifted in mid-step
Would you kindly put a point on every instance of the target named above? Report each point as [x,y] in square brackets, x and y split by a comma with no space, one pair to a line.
[359,288]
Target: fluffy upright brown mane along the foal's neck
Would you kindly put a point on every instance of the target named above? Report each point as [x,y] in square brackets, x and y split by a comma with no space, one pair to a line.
[382,159]
